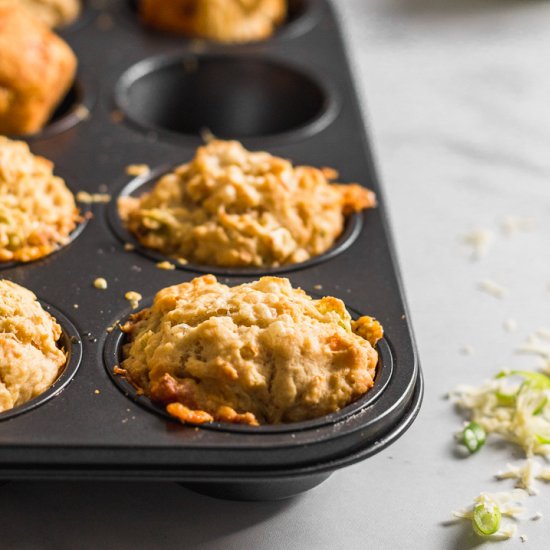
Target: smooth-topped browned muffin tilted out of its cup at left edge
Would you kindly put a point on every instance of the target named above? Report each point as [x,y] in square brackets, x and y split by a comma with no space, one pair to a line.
[37,69]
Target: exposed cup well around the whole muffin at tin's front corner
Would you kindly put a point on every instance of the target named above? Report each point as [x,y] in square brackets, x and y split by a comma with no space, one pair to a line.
[113,357]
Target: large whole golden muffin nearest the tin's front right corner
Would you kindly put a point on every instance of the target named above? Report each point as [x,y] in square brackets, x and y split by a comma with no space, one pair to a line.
[261,352]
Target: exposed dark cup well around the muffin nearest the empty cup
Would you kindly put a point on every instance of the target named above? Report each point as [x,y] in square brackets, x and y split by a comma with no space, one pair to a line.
[142,184]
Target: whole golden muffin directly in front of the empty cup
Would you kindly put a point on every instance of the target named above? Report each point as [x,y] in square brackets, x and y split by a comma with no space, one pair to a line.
[230,207]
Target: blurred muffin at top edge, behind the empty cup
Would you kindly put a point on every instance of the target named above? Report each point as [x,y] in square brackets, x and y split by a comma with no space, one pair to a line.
[221,20]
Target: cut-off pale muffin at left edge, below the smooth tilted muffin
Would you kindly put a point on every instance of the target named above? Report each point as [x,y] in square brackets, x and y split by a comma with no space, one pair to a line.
[37,211]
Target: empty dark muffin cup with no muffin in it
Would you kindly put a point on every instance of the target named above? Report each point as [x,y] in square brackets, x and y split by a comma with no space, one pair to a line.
[229,96]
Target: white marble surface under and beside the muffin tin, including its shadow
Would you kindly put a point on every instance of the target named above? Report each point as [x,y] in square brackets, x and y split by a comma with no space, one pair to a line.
[457,103]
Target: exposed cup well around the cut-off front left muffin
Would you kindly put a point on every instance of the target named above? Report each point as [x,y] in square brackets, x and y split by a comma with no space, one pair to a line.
[71,344]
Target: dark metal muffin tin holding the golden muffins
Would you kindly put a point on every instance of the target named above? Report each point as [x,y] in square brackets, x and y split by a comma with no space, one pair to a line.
[148,97]
